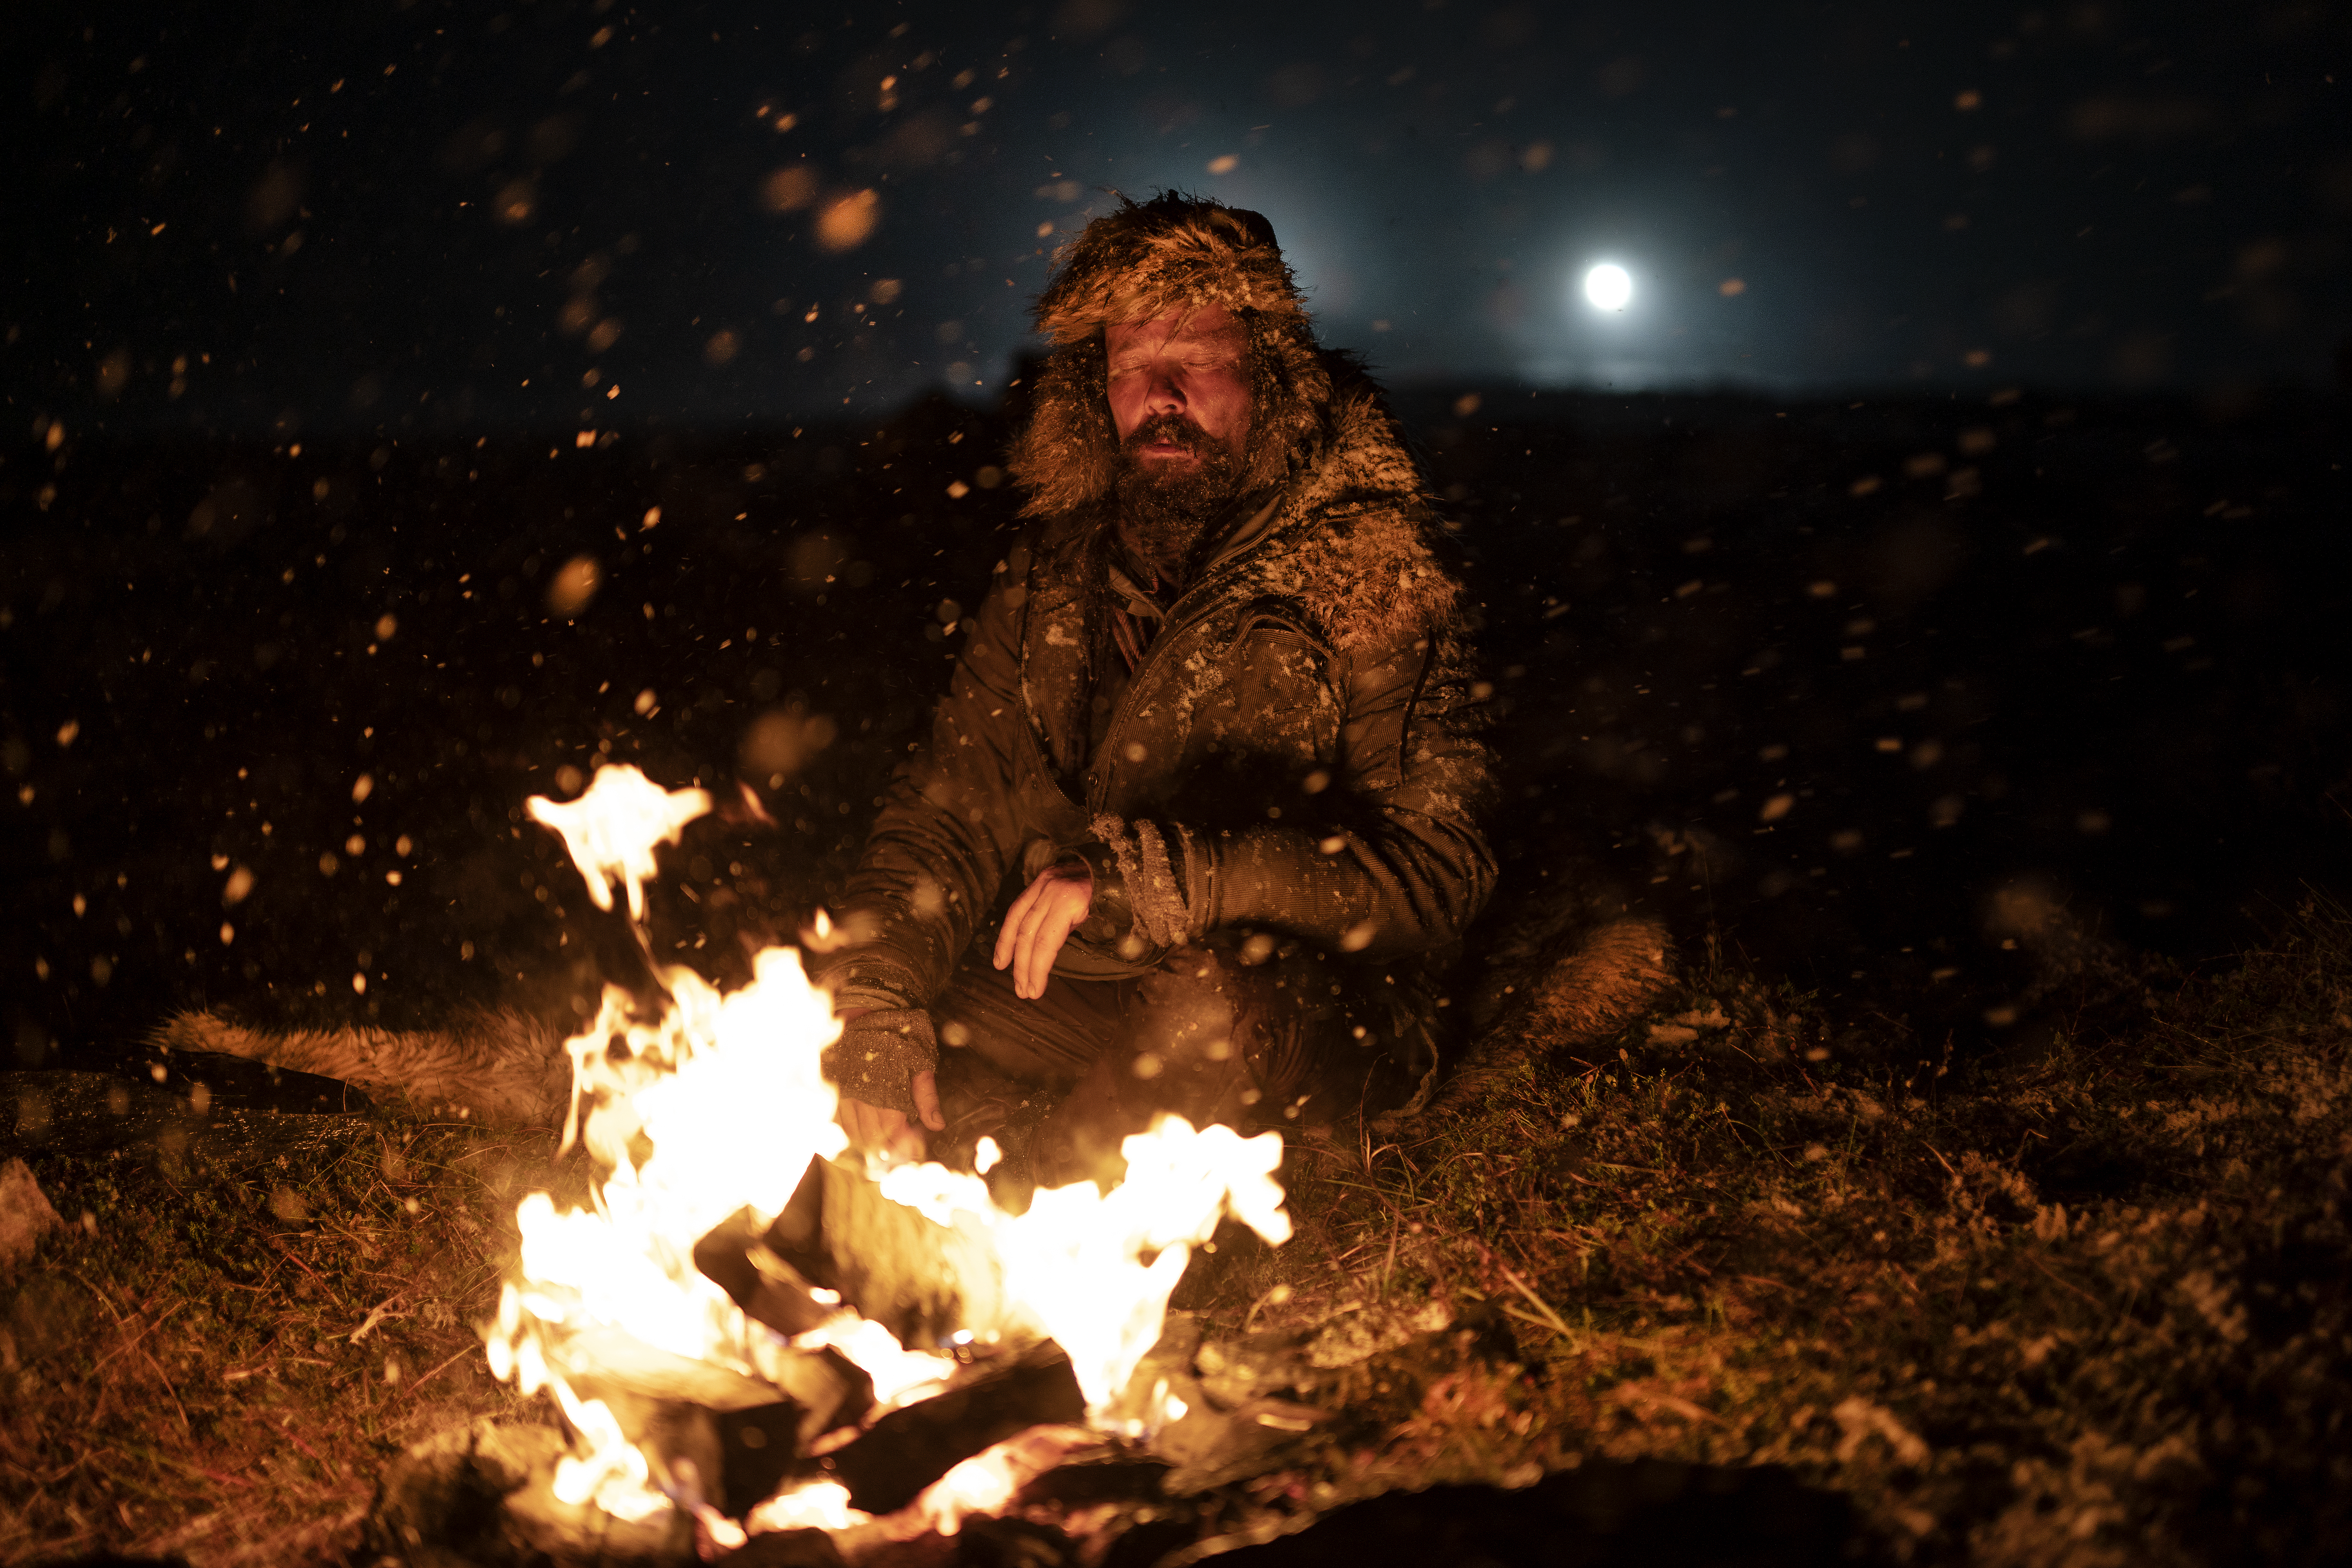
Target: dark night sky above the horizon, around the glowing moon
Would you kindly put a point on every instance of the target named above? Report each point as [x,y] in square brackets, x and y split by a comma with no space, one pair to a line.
[450,217]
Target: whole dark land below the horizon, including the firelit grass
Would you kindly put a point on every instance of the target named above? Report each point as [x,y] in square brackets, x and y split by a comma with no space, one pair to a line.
[1975,1198]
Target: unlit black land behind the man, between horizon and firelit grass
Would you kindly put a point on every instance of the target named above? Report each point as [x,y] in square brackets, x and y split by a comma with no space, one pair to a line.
[1829,688]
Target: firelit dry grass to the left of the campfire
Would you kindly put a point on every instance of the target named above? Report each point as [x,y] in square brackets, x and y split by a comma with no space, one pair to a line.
[220,1360]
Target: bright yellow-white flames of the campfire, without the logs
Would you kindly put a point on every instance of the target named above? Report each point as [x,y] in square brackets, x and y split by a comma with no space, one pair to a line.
[716,1104]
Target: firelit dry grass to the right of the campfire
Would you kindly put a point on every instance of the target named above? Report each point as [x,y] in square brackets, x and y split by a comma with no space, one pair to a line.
[2087,1308]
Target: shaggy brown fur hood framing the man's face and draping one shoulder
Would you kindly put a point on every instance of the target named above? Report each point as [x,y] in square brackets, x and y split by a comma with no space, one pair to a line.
[1354,530]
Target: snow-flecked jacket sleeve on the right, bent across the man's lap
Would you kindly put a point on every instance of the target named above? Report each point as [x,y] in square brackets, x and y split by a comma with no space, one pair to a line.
[1396,866]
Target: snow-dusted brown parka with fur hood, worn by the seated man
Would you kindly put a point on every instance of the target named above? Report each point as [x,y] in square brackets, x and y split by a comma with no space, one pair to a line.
[1292,770]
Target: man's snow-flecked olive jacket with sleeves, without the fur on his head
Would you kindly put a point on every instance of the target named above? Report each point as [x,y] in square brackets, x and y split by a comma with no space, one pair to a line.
[1297,753]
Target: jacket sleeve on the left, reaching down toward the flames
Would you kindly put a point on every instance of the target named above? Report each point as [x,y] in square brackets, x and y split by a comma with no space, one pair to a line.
[947,831]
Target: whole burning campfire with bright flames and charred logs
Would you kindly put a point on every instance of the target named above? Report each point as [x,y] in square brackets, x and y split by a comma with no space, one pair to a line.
[756,1329]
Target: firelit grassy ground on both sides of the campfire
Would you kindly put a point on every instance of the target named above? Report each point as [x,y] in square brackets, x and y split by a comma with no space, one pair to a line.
[2083,1306]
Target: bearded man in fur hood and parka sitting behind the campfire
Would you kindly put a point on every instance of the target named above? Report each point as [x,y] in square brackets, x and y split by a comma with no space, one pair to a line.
[1198,817]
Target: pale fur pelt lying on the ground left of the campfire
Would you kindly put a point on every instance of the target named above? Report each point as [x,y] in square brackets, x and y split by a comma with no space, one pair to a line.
[493,1066]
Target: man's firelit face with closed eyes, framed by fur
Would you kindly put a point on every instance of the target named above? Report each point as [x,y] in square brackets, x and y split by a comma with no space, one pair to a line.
[1177,382]
